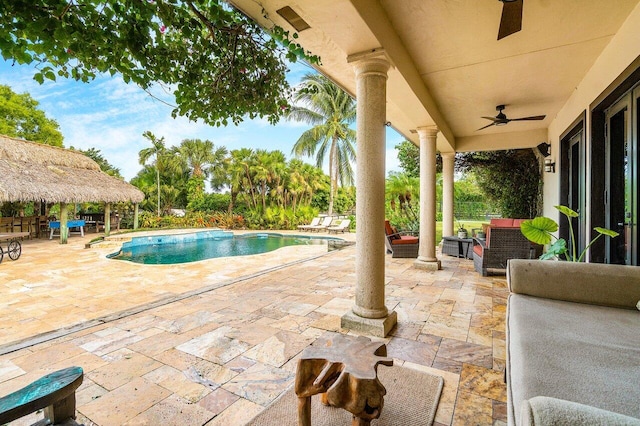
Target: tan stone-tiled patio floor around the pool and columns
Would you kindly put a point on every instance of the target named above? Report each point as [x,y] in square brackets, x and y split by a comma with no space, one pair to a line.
[214,342]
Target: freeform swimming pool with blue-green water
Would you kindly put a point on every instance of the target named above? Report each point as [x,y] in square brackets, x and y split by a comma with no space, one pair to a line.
[184,248]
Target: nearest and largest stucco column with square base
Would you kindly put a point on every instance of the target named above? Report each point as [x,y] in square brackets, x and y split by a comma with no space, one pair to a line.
[370,314]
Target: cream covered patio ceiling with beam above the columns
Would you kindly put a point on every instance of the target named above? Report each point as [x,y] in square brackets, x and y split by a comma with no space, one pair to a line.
[449,69]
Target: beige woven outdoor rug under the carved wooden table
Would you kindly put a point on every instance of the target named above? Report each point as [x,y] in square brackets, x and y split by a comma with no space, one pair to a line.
[411,399]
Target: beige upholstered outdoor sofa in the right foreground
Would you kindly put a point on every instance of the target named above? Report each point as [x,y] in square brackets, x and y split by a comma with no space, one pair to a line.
[573,343]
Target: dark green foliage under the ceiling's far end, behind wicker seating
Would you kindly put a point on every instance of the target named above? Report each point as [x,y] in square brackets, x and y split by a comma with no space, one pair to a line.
[509,179]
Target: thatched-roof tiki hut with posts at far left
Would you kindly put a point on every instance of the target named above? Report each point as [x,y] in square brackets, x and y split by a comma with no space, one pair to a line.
[35,172]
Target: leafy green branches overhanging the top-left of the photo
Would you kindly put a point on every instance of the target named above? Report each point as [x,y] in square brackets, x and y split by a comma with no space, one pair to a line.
[221,66]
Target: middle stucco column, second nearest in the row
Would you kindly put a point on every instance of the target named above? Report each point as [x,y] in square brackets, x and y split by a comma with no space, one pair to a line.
[427,250]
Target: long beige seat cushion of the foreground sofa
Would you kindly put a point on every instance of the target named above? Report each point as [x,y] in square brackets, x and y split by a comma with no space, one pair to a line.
[577,352]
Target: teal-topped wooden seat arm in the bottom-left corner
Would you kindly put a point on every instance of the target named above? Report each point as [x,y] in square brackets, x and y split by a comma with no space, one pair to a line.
[55,392]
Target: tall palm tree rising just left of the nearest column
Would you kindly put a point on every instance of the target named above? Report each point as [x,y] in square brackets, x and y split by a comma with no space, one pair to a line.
[319,102]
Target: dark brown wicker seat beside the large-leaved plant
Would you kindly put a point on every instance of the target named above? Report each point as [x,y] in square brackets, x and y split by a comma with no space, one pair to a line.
[502,244]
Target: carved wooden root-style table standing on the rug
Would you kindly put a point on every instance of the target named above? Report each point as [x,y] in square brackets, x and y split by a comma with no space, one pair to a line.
[345,372]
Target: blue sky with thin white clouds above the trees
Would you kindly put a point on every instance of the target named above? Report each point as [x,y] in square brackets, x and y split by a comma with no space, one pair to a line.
[110,115]
